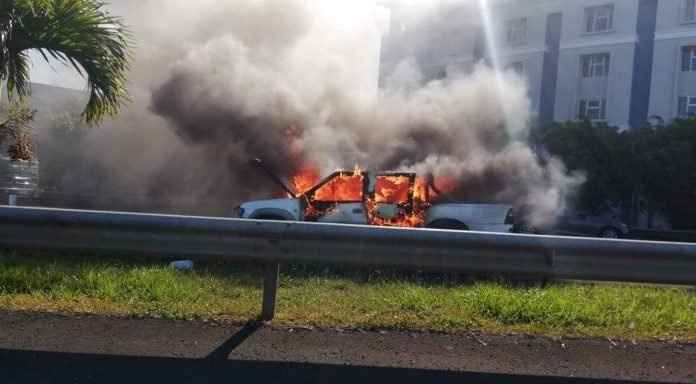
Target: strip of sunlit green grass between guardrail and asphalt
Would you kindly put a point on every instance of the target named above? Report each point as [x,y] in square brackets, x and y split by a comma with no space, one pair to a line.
[344,298]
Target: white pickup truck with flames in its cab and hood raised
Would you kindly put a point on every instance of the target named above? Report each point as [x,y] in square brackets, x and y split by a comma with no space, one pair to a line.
[395,199]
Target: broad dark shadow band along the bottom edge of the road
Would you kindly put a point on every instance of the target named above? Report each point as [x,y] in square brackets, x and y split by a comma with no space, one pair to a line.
[18,366]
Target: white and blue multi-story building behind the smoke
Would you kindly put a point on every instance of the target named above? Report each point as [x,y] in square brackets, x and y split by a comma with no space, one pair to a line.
[619,61]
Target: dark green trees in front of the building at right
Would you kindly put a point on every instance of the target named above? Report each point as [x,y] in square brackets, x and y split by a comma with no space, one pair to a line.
[657,162]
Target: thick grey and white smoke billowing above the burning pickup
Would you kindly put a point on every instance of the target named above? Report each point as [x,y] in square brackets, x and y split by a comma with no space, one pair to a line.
[295,82]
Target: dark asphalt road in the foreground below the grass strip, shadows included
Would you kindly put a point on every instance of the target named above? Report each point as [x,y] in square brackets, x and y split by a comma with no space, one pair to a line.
[48,348]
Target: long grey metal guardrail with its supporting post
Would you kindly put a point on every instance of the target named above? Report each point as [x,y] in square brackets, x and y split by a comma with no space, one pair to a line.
[273,242]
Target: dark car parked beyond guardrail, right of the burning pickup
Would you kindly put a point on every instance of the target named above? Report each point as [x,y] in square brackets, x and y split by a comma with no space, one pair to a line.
[573,222]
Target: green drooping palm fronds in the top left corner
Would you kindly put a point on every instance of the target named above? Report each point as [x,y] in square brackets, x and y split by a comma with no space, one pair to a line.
[78,33]
